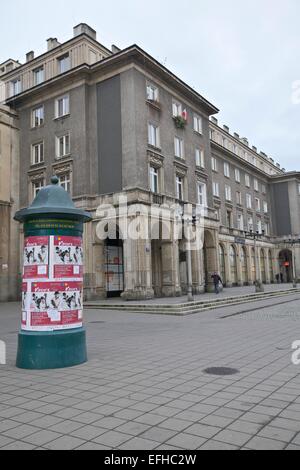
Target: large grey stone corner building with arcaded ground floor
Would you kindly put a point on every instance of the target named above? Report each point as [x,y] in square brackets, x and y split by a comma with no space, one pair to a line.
[115,124]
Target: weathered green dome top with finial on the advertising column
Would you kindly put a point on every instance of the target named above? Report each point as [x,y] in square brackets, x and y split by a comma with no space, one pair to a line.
[53,200]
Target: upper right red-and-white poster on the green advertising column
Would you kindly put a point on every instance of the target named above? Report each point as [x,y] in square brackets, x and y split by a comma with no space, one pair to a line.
[67,257]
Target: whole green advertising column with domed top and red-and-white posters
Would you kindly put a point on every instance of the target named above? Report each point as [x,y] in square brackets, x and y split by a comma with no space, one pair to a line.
[52,335]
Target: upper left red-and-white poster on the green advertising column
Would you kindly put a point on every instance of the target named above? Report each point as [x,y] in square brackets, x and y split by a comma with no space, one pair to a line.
[36,258]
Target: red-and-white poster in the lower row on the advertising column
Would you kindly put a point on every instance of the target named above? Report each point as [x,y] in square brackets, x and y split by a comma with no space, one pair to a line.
[55,306]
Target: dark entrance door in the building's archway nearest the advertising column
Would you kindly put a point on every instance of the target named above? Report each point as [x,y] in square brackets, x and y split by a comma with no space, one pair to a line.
[114,269]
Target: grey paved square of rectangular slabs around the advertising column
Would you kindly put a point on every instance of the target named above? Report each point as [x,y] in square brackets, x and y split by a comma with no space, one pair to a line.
[144,386]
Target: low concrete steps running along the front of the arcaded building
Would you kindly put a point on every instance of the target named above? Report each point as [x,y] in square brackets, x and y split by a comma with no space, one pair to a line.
[188,308]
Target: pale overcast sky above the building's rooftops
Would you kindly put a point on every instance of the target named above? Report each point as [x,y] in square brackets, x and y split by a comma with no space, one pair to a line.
[243,58]
